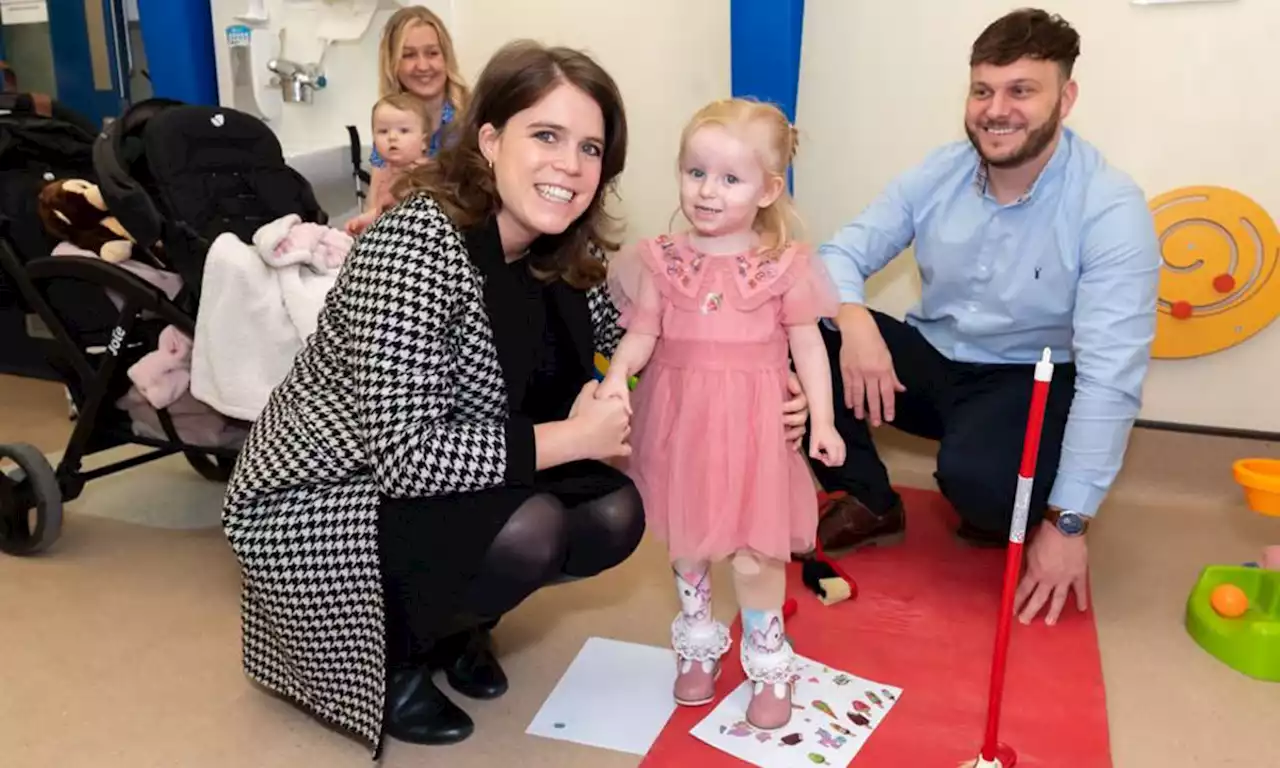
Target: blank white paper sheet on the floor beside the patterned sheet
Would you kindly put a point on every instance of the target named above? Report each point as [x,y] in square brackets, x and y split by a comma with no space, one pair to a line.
[615,696]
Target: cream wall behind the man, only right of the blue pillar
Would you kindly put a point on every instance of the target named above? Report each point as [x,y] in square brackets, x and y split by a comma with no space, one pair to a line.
[1176,95]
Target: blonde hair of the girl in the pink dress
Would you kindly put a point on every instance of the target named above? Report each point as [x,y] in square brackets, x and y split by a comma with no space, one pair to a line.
[776,143]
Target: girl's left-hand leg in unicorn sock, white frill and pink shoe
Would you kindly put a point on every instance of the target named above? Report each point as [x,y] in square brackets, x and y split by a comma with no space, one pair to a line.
[700,641]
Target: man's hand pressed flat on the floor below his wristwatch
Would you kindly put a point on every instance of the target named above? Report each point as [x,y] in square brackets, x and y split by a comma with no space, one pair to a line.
[1055,565]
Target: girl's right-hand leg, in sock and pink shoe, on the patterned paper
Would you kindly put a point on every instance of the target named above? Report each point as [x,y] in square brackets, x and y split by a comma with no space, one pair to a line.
[767,657]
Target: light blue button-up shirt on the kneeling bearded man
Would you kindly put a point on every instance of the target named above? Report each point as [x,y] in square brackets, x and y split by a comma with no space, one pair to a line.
[1072,266]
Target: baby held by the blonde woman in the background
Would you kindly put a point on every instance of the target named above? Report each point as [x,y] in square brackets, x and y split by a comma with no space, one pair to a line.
[401,138]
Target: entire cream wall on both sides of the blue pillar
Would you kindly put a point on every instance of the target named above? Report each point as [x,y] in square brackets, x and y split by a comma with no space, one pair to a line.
[1164,94]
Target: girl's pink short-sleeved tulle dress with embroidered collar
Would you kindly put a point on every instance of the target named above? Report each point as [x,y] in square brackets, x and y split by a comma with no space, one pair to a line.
[710,454]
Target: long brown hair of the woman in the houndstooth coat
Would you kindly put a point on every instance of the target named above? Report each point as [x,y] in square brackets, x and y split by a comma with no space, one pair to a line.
[518,77]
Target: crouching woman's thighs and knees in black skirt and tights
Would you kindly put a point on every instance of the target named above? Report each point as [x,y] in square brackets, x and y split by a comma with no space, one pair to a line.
[578,525]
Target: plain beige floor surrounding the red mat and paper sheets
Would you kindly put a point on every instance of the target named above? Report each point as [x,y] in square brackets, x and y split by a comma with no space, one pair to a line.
[121,646]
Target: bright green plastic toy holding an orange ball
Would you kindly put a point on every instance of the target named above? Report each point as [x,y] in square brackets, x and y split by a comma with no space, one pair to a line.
[1251,643]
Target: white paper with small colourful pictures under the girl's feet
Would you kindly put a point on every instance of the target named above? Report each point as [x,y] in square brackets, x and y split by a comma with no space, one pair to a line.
[834,715]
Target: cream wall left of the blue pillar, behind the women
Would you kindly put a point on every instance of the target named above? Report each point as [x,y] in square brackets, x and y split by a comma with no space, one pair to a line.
[669,58]
